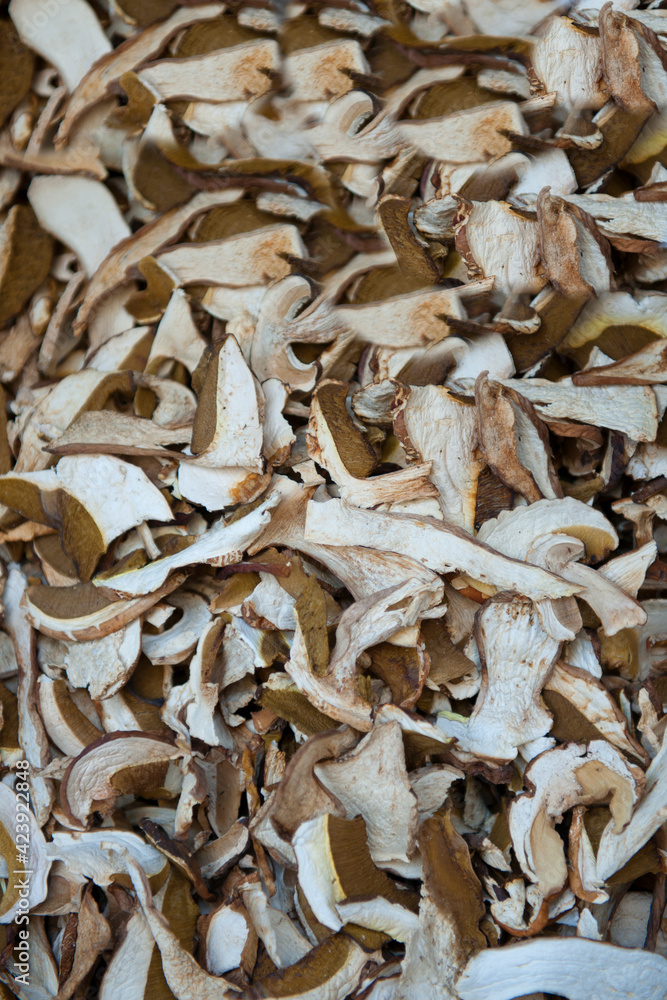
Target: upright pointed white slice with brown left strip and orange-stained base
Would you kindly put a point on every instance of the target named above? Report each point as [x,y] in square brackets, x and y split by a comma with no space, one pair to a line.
[227,436]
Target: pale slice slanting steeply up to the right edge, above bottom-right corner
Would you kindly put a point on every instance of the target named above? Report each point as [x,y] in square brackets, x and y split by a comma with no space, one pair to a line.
[617,847]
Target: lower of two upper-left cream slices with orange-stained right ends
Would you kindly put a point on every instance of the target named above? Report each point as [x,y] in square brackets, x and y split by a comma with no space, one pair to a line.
[235,261]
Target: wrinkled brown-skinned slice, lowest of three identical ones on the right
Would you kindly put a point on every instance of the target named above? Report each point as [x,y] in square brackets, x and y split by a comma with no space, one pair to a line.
[514,441]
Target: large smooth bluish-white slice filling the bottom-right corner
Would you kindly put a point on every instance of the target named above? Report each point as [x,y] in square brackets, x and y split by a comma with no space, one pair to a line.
[576,968]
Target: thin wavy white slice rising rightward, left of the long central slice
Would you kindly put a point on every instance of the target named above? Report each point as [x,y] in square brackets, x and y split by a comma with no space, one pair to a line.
[221,545]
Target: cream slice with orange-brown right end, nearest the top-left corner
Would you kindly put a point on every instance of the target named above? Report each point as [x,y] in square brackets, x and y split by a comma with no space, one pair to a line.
[239,72]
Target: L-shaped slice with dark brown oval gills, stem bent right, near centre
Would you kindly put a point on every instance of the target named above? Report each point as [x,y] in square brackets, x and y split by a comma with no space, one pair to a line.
[339,446]
